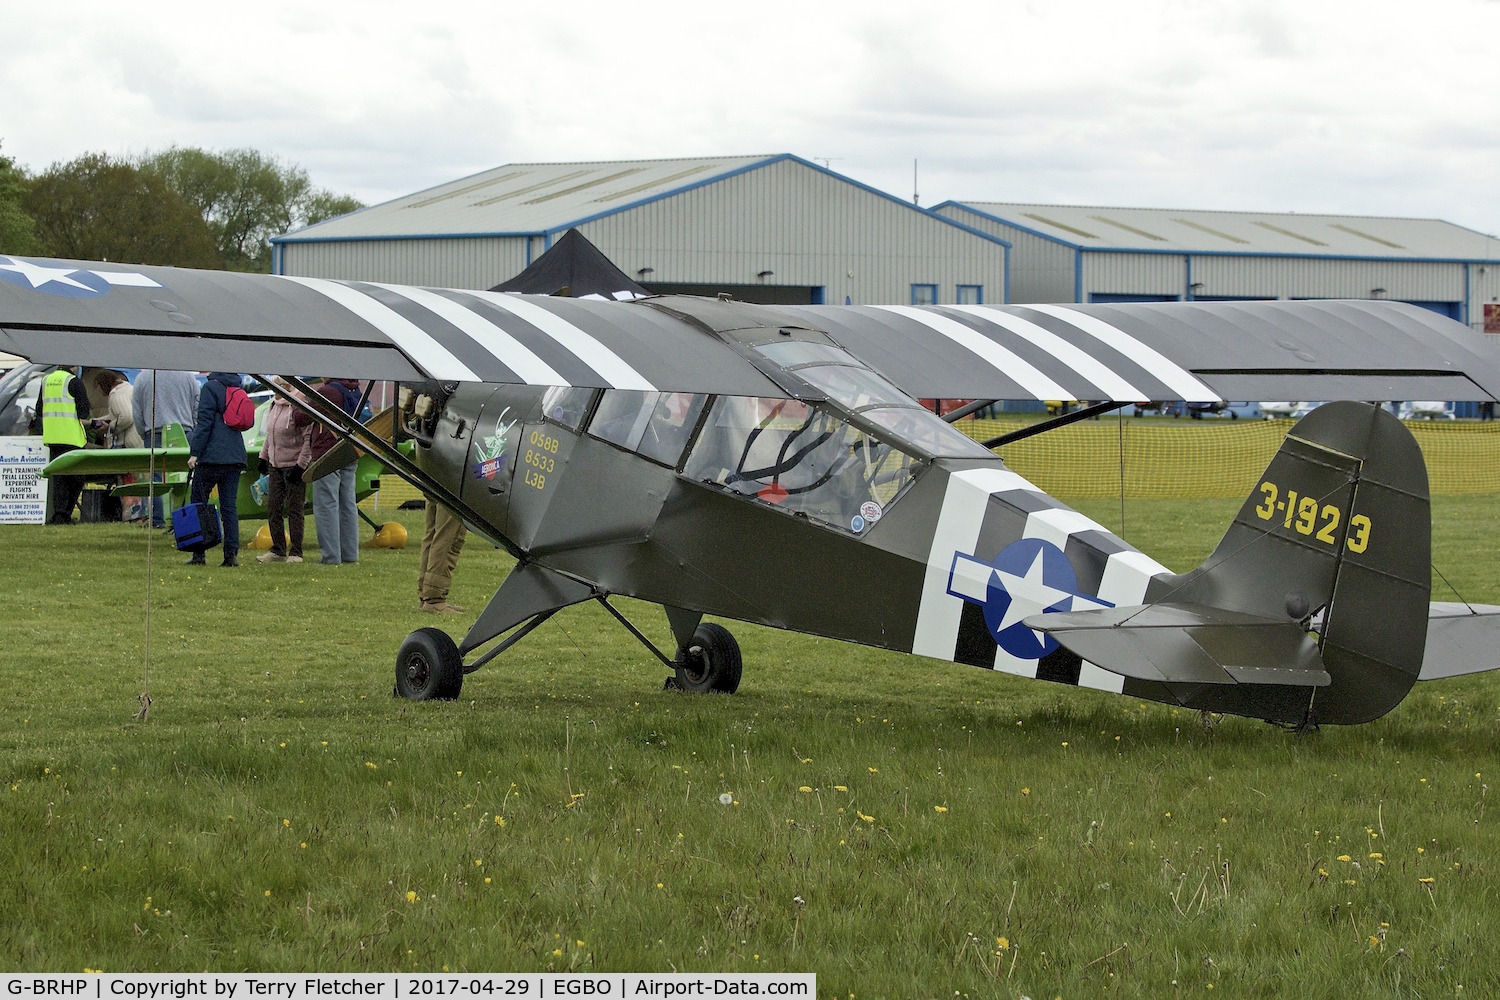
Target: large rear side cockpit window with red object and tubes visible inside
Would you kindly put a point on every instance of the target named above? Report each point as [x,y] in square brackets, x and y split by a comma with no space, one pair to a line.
[800,460]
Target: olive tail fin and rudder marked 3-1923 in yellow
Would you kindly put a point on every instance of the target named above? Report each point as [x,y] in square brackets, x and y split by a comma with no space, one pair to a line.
[1339,524]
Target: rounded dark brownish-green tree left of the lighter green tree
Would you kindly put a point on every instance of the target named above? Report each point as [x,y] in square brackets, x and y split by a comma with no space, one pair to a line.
[104,209]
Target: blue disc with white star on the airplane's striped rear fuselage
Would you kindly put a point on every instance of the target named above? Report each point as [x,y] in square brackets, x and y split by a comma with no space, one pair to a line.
[1031,576]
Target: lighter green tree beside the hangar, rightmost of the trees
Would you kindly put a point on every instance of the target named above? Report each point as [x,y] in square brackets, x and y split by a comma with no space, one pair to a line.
[245,197]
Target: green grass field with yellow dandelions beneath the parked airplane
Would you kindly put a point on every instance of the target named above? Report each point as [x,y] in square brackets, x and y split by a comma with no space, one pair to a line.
[280,810]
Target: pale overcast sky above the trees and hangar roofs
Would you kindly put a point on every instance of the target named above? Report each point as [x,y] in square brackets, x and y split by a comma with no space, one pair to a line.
[1367,109]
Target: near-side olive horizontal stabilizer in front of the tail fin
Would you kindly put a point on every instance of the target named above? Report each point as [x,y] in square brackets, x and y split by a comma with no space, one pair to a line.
[1189,644]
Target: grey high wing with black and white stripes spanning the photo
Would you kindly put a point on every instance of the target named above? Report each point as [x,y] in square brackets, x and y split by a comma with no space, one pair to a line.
[158,317]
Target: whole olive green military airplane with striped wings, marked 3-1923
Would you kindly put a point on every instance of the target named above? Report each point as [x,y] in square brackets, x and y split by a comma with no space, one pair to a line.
[773,466]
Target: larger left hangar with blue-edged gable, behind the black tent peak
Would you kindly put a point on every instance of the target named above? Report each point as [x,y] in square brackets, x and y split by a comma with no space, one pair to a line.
[763,229]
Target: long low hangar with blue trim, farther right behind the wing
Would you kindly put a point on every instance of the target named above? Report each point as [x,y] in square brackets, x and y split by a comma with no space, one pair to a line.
[1100,256]
